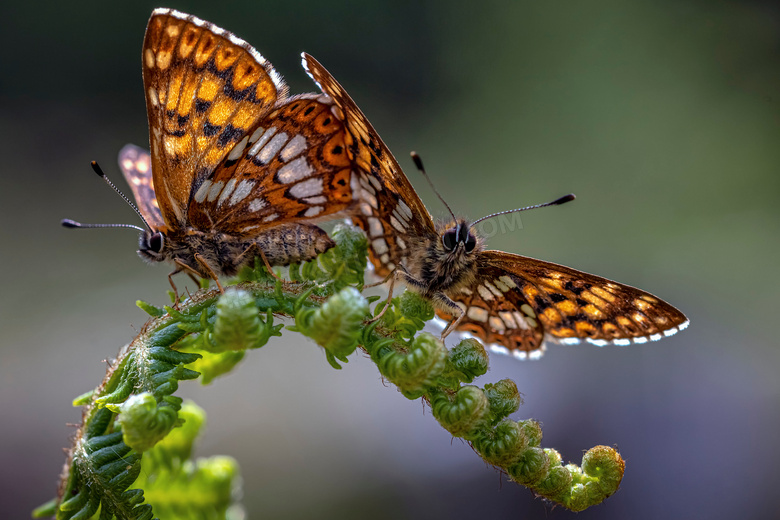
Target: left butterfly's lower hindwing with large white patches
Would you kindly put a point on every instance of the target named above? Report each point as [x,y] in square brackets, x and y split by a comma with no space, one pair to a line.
[293,167]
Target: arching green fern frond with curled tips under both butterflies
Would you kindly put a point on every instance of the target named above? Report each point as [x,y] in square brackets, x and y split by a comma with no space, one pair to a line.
[131,456]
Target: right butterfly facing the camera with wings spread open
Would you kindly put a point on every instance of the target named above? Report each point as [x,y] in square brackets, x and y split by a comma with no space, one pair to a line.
[510,301]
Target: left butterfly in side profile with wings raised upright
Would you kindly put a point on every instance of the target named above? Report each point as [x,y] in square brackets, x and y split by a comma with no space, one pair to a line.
[237,168]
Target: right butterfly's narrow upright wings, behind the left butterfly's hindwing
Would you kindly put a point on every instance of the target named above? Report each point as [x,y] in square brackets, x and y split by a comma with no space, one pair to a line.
[389,210]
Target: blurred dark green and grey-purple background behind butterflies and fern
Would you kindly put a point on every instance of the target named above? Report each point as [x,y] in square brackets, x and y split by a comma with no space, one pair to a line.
[662,116]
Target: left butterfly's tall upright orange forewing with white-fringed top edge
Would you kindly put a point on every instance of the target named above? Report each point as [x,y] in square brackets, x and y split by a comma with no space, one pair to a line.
[205,90]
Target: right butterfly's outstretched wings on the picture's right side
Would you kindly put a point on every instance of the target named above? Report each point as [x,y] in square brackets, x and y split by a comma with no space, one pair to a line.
[569,305]
